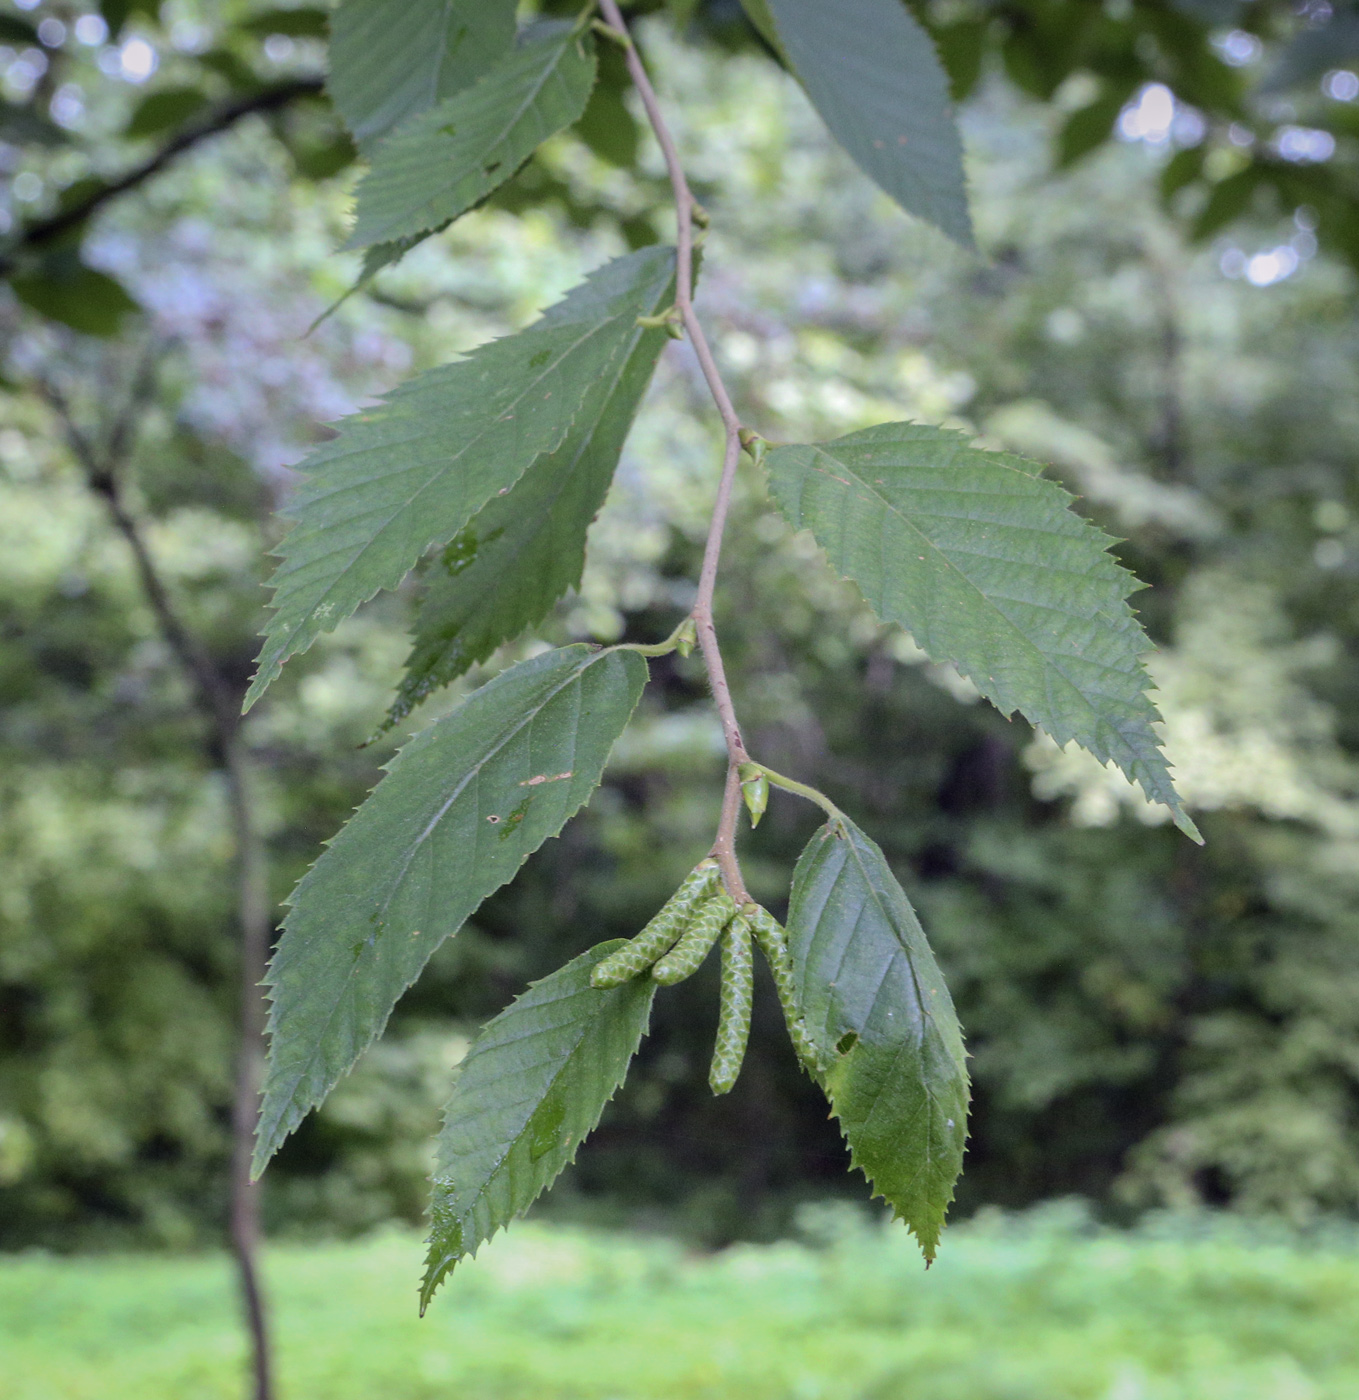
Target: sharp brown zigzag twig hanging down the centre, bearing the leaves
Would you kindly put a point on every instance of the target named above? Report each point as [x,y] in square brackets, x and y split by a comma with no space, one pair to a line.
[724,849]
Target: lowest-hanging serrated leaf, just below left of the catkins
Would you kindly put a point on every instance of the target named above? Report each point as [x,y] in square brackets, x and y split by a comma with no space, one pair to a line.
[533,1087]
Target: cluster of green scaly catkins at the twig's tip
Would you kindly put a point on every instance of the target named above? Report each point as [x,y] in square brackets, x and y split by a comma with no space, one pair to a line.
[675,944]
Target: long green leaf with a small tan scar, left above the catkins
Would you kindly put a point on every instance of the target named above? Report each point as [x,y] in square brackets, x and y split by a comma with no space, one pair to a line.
[460,811]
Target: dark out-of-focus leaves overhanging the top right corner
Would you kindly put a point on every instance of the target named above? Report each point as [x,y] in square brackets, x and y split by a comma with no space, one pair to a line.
[1251,69]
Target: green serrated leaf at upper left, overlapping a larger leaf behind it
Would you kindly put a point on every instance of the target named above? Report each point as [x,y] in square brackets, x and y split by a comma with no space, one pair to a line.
[442,163]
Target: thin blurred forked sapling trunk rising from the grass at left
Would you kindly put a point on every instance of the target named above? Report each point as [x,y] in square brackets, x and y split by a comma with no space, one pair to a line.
[103,465]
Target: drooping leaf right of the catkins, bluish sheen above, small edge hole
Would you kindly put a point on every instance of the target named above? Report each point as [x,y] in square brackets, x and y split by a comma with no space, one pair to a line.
[868,985]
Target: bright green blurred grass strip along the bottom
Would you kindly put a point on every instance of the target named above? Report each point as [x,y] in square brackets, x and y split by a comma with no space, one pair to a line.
[1014,1311]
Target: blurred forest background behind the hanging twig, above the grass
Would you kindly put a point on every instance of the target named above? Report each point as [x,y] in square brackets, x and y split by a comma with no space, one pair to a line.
[1151,1024]
